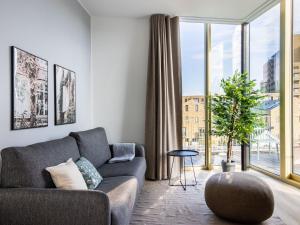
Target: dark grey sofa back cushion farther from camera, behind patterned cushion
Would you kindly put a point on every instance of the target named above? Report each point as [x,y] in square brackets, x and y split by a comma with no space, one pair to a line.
[93,145]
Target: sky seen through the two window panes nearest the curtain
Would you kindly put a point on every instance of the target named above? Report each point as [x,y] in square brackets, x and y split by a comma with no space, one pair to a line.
[192,51]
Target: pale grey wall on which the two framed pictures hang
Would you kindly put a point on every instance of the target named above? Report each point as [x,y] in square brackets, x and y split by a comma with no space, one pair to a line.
[58,31]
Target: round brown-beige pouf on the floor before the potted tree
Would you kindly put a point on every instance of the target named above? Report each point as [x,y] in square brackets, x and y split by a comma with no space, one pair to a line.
[239,197]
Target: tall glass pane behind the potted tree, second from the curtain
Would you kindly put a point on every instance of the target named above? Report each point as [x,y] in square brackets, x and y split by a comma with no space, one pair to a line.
[226,59]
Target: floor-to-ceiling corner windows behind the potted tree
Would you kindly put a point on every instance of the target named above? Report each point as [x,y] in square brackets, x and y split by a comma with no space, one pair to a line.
[264,36]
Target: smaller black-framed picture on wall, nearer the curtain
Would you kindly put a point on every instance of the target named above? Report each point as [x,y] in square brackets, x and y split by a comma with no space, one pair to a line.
[65,95]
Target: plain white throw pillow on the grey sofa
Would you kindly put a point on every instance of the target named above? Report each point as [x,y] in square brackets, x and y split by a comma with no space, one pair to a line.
[67,176]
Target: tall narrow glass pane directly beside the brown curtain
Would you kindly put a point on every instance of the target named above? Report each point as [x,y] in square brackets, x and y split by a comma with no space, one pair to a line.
[193,104]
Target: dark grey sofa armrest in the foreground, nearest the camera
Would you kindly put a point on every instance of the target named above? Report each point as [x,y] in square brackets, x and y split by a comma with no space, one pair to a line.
[29,206]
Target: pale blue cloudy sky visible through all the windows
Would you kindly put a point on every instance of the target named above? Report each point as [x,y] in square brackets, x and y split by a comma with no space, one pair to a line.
[264,42]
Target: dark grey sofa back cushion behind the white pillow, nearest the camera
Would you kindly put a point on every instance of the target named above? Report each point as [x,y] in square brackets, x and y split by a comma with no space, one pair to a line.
[25,166]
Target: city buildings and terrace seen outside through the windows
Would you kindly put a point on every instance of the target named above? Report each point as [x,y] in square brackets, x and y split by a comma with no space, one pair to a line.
[265,140]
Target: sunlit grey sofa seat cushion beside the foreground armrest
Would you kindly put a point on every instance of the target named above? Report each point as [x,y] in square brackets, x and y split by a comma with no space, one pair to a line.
[122,193]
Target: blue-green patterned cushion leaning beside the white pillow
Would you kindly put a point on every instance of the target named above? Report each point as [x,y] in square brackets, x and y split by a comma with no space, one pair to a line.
[90,174]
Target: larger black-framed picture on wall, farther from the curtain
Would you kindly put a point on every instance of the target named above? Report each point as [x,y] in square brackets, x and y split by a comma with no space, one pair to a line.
[29,90]
